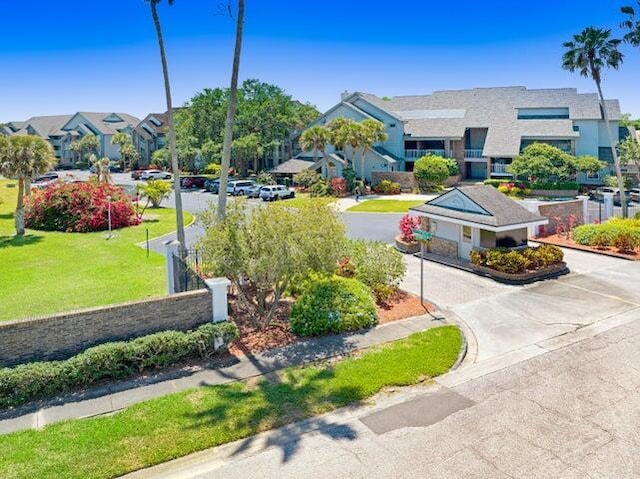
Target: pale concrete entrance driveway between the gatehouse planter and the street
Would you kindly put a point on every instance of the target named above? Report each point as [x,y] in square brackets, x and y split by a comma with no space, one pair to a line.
[505,318]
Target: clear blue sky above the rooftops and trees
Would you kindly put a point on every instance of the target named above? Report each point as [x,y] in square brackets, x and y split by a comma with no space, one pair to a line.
[70,55]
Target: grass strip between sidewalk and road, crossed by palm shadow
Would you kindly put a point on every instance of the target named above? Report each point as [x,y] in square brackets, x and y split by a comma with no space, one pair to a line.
[179,424]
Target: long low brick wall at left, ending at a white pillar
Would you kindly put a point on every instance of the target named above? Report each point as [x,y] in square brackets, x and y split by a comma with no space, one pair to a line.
[63,335]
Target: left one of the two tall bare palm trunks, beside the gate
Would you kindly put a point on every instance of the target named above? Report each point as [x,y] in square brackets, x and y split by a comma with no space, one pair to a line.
[170,123]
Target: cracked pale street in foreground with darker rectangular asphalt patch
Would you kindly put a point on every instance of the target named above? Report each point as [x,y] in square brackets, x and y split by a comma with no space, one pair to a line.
[569,413]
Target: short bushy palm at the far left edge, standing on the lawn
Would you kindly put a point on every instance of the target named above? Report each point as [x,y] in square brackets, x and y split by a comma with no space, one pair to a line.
[22,158]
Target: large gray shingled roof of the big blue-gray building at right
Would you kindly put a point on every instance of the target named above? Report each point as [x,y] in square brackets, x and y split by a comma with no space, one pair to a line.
[446,114]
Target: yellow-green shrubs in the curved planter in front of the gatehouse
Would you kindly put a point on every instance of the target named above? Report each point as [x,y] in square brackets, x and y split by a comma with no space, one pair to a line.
[518,261]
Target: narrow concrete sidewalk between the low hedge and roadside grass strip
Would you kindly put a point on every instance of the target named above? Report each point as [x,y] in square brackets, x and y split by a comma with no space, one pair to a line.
[119,396]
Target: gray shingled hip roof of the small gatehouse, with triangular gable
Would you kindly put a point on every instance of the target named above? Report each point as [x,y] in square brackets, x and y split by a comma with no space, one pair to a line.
[500,209]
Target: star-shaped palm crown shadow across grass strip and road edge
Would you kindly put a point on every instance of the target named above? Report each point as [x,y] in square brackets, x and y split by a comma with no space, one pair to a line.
[285,403]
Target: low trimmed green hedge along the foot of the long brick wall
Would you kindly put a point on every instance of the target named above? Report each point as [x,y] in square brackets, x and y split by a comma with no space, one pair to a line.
[116,360]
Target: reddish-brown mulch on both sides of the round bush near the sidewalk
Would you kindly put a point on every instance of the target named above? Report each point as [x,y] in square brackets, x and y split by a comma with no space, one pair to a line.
[253,341]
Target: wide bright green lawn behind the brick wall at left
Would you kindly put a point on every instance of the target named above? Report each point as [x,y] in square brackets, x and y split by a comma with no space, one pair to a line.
[49,272]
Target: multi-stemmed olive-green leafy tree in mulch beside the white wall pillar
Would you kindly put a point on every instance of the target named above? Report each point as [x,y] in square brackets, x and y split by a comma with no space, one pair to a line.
[263,250]
